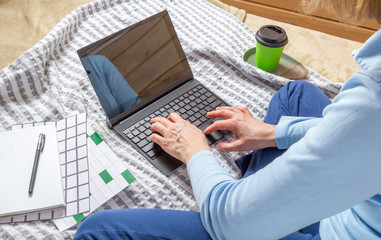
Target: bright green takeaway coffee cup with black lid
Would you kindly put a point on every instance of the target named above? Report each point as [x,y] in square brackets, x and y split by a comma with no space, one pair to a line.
[271,40]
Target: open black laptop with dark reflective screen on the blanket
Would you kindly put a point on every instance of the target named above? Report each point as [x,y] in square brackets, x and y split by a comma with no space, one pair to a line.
[142,72]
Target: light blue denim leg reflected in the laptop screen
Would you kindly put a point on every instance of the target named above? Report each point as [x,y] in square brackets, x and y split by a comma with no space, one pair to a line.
[113,91]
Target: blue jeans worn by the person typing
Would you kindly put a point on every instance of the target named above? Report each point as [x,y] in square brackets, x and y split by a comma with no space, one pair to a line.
[295,99]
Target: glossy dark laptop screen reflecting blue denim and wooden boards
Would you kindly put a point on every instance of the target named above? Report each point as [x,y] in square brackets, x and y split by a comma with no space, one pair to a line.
[133,67]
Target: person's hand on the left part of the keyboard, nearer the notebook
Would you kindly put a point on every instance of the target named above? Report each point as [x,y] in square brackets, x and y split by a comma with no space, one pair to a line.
[178,137]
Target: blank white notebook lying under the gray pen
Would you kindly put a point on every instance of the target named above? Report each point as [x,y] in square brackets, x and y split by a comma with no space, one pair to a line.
[17,152]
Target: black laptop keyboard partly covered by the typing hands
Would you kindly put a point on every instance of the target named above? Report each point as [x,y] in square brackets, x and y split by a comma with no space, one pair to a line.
[192,106]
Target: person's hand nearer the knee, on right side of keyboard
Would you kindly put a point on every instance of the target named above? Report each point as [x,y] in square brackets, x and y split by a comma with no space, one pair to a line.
[250,133]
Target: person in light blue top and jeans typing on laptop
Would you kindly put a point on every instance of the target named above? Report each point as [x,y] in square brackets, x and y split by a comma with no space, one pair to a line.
[314,172]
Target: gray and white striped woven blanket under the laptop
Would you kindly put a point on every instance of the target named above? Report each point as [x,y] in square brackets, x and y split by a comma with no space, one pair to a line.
[48,83]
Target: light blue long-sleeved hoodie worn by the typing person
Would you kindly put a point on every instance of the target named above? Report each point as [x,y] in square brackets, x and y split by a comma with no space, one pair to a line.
[331,171]
